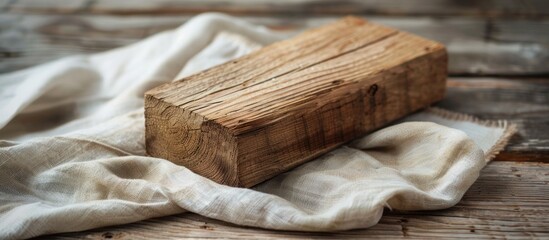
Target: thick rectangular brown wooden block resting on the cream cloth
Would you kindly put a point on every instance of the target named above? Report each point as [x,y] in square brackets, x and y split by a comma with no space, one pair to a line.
[247,120]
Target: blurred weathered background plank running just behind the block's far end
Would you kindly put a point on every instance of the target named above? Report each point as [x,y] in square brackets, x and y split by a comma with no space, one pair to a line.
[33,39]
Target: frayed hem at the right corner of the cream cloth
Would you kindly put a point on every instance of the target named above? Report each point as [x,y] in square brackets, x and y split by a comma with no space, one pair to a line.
[509,129]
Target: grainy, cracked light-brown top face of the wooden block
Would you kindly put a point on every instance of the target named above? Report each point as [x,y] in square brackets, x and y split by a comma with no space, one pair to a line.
[296,75]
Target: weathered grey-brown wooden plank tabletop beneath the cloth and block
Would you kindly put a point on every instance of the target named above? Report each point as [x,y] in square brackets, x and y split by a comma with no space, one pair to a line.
[499,69]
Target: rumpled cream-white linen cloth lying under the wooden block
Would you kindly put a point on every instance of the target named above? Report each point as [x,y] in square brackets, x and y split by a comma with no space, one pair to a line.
[73,154]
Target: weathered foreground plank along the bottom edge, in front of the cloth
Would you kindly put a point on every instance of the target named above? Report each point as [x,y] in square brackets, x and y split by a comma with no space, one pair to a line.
[509,200]
